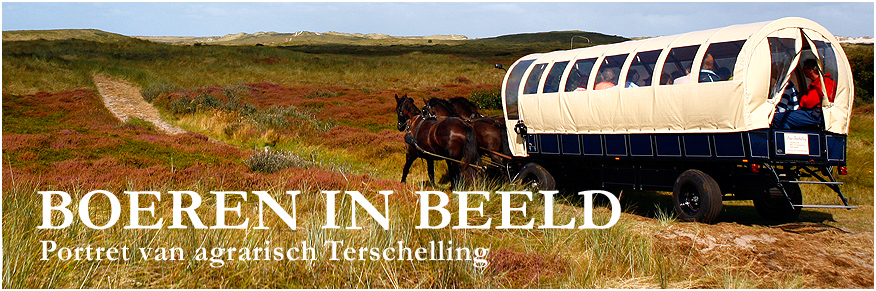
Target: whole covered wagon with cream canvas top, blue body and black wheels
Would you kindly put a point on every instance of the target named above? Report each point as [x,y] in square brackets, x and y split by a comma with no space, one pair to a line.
[692,113]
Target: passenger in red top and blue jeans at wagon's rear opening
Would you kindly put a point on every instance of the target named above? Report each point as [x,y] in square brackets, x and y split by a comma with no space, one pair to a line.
[809,113]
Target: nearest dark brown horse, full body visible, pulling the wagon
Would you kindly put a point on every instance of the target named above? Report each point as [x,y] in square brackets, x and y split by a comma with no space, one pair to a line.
[451,139]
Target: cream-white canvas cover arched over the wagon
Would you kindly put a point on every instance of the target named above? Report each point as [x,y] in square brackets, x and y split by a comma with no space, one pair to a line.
[743,99]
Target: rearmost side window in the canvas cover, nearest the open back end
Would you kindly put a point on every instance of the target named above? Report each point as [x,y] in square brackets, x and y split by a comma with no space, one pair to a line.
[719,61]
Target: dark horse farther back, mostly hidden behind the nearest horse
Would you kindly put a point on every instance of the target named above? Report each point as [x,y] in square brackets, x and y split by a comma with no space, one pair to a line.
[491,134]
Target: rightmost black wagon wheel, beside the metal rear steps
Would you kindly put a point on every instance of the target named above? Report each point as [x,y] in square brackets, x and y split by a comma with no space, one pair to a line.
[771,204]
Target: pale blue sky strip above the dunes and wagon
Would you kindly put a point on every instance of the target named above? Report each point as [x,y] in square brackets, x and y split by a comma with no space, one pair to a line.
[472,19]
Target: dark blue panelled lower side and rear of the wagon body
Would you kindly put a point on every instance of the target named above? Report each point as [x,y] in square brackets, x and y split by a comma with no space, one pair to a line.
[764,145]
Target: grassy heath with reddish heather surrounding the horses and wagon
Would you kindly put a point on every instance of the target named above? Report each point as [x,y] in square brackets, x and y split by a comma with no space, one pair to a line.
[334,112]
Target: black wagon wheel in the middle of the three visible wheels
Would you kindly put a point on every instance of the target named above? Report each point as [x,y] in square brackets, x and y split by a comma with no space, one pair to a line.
[697,197]
